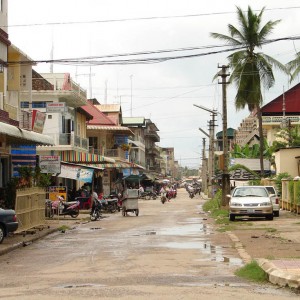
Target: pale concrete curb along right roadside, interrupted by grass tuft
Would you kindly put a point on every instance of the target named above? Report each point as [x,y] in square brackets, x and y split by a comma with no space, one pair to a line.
[275,275]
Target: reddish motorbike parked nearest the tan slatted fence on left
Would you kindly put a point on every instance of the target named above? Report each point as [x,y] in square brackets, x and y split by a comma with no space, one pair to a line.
[63,208]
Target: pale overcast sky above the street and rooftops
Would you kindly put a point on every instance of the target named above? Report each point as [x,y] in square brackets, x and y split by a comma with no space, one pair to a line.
[162,91]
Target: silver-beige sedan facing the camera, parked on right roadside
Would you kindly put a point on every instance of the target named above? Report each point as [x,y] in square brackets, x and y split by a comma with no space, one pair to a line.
[250,201]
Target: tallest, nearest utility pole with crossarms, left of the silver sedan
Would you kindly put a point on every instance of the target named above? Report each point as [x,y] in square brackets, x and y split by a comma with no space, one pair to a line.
[225,175]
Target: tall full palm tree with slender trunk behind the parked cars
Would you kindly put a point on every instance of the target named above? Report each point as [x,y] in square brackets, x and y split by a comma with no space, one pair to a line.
[251,70]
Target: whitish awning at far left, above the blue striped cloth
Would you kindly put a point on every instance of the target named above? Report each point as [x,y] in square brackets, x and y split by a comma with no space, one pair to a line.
[16,135]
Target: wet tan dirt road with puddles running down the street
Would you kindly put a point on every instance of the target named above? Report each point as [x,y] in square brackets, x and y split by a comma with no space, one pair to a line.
[169,251]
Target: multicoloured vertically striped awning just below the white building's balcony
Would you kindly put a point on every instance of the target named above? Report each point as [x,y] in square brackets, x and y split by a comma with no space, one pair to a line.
[82,157]
